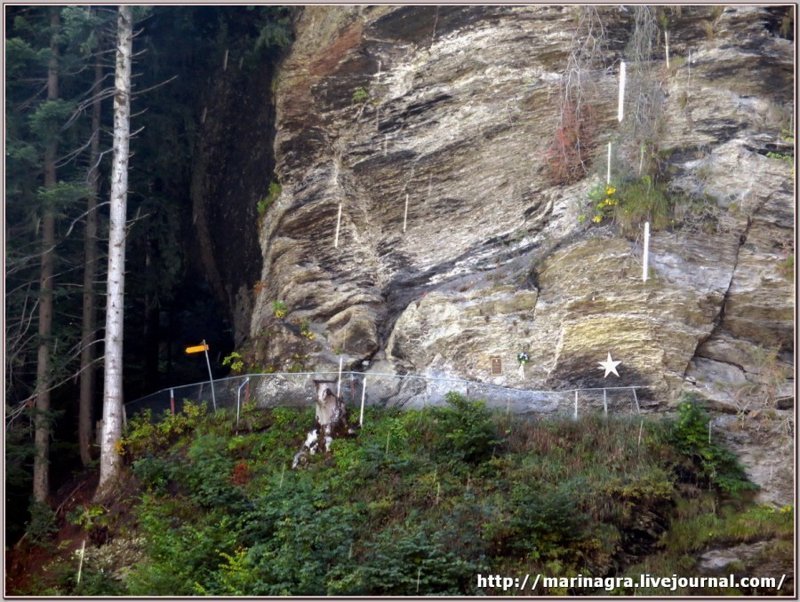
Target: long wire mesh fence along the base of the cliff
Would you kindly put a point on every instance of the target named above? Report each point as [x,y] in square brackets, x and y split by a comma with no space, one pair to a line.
[359,389]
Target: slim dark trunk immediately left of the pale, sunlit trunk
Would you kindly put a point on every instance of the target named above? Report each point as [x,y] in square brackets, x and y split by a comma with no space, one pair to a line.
[90,271]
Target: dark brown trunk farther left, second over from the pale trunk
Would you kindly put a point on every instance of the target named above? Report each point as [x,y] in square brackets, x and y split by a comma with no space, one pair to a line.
[41,472]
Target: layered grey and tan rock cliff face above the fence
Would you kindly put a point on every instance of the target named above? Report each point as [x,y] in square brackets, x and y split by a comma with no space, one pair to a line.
[429,127]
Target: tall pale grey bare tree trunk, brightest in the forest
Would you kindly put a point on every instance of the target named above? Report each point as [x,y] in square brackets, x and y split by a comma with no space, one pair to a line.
[110,460]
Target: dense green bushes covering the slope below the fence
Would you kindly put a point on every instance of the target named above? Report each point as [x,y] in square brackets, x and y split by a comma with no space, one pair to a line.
[418,504]
